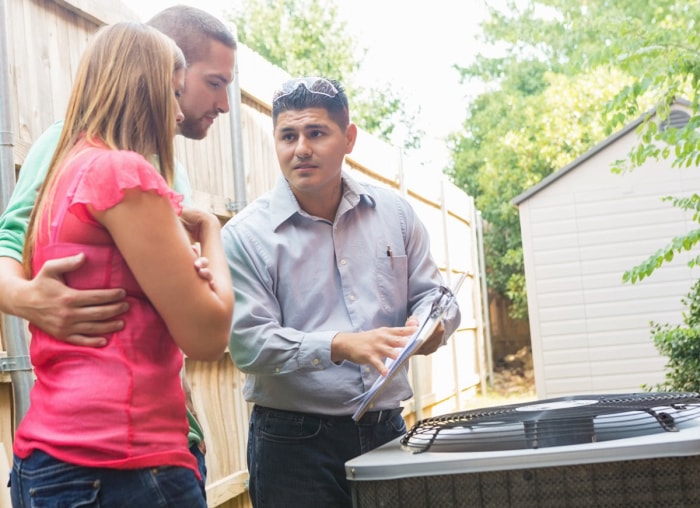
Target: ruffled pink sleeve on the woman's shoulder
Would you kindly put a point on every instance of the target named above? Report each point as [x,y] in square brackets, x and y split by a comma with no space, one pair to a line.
[104,178]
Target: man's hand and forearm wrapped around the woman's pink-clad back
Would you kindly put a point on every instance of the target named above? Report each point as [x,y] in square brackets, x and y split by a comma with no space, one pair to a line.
[80,317]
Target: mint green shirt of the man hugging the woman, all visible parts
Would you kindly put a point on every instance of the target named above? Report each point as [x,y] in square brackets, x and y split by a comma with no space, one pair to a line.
[15,218]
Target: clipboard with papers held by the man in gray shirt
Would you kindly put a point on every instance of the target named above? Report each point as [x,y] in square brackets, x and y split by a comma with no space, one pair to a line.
[429,322]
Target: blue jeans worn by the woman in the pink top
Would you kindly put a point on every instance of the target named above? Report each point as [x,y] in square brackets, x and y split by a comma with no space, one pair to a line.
[40,481]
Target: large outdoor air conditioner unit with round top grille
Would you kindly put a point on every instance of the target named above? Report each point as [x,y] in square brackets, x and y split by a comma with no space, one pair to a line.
[625,450]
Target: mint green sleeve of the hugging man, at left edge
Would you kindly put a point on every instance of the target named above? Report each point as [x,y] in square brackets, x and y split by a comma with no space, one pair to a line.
[15,218]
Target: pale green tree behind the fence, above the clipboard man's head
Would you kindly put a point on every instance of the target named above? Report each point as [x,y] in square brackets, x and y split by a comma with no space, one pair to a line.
[307,38]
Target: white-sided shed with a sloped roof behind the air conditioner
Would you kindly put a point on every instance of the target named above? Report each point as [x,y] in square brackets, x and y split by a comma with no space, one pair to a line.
[582,228]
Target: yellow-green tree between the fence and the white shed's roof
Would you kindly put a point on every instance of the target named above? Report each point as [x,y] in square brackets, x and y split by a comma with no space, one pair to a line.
[540,116]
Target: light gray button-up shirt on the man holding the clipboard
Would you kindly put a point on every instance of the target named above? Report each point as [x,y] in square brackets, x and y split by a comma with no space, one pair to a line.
[299,280]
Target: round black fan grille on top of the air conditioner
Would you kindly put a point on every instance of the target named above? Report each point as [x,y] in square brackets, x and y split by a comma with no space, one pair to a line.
[554,422]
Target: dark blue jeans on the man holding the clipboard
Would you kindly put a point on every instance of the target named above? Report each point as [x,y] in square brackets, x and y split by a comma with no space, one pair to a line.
[297,460]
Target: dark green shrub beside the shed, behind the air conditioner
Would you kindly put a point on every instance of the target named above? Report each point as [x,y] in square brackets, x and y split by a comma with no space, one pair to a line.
[681,346]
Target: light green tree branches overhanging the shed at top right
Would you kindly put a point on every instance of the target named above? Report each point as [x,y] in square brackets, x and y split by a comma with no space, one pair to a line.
[656,45]
